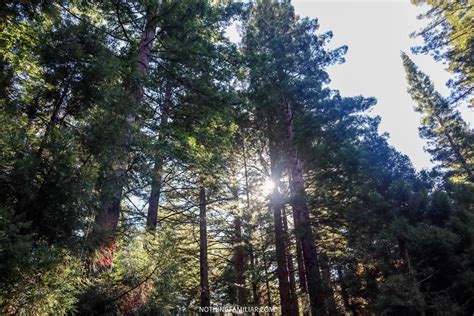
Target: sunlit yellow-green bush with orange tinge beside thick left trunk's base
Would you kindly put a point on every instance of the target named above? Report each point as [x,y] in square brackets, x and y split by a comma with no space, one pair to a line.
[143,280]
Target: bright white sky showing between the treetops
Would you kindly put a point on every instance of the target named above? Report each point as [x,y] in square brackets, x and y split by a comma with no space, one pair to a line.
[376,32]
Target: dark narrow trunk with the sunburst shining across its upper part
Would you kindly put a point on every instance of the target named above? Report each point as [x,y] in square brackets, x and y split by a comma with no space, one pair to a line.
[276,205]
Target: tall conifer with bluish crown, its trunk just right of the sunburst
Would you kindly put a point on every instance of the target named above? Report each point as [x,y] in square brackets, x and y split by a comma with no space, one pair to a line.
[286,61]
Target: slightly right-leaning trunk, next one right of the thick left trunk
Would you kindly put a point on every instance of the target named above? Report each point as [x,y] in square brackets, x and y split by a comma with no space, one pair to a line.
[154,199]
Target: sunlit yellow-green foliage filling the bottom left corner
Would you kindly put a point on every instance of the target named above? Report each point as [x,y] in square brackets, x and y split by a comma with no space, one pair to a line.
[36,278]
